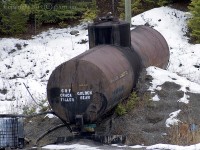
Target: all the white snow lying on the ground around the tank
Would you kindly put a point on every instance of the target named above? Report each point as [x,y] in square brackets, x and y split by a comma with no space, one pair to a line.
[30,62]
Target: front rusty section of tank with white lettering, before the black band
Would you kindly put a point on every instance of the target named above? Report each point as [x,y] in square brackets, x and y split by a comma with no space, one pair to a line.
[91,83]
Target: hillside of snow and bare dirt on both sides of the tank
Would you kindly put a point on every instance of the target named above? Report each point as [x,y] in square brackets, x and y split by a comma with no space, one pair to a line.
[175,91]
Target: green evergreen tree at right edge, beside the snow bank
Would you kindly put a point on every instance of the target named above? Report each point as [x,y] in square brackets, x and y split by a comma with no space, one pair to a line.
[194,22]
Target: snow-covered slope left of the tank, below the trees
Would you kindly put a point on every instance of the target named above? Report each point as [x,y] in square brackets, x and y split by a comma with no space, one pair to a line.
[31,62]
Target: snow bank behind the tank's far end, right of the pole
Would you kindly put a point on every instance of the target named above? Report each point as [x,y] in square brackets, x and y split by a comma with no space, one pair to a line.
[172,24]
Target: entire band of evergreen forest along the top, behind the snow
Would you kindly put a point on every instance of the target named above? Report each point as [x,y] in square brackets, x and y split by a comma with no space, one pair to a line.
[19,18]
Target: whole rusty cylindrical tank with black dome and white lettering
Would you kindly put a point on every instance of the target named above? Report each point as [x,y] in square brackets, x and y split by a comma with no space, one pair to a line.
[83,89]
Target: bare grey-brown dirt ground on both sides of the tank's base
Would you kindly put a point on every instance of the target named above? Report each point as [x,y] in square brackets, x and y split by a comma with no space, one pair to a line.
[145,124]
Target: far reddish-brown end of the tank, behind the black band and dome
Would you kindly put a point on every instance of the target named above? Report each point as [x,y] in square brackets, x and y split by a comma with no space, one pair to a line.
[151,46]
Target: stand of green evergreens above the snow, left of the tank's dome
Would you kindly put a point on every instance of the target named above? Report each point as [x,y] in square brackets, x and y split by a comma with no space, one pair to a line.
[15,15]
